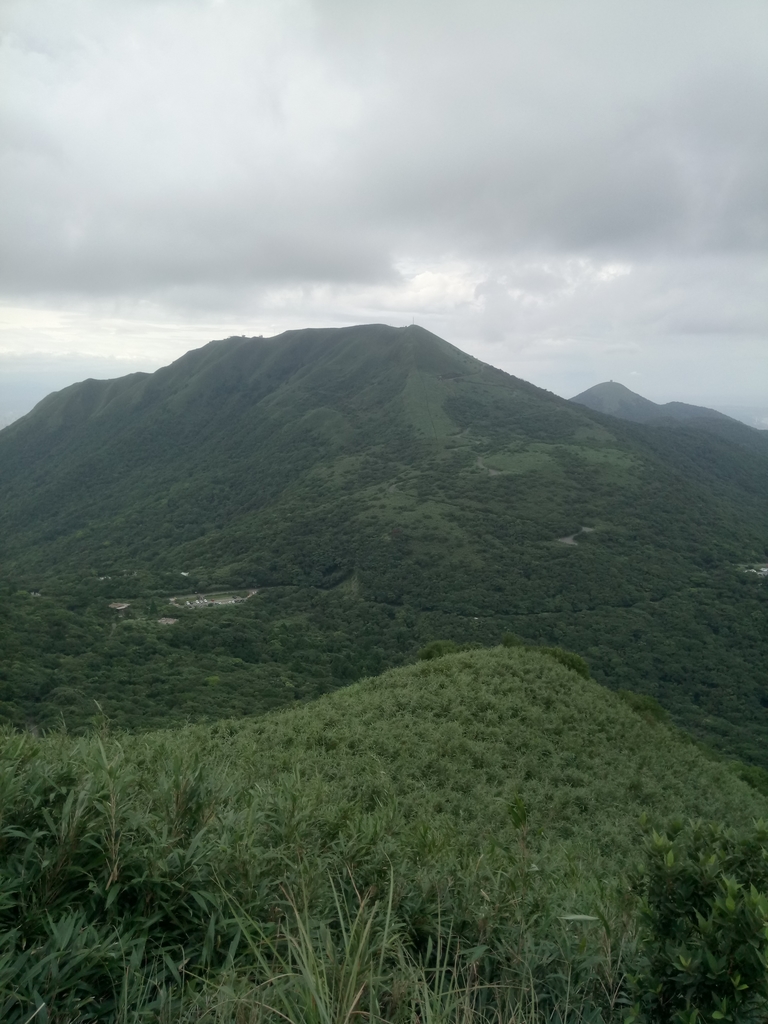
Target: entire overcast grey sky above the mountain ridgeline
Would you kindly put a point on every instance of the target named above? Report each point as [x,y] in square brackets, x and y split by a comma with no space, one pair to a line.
[574,191]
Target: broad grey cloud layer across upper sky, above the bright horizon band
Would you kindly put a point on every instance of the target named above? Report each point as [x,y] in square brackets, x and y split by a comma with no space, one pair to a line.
[501,130]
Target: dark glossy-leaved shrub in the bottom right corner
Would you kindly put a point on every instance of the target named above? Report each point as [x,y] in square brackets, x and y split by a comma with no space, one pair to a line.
[706,926]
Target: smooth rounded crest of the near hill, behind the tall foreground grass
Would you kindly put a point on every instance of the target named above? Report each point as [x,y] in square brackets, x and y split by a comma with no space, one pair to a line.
[455,740]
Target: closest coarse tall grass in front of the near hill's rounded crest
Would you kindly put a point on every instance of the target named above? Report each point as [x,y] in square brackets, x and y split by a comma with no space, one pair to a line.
[129,900]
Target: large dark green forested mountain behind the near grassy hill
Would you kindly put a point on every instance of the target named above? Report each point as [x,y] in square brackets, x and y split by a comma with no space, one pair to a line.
[378,489]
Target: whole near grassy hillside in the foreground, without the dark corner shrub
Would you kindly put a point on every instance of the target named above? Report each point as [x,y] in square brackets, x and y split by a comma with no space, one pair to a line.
[461,812]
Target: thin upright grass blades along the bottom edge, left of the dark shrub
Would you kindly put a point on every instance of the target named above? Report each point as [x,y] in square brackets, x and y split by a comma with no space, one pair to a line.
[360,966]
